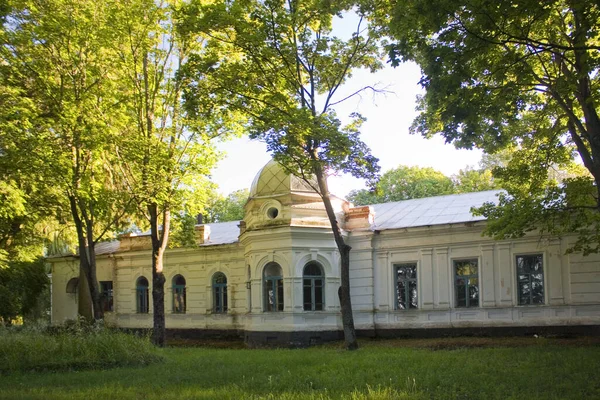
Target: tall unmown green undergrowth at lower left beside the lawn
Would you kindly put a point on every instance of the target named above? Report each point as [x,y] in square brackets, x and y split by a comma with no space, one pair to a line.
[74,347]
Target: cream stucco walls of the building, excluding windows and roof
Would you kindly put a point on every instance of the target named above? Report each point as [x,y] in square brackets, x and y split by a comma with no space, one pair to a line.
[571,282]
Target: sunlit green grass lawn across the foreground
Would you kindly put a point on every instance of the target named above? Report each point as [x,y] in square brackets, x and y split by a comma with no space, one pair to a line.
[443,368]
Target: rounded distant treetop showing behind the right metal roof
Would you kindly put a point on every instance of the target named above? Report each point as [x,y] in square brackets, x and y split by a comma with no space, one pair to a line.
[404,183]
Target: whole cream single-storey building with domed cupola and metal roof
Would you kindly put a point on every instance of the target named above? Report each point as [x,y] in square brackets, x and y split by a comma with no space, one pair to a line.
[418,267]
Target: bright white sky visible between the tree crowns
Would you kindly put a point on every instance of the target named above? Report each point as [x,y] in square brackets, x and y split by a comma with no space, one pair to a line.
[386,131]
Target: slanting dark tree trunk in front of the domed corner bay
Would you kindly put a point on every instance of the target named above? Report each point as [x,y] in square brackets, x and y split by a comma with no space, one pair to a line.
[344,249]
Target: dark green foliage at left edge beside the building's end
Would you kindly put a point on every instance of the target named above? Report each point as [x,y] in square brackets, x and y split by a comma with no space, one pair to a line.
[21,286]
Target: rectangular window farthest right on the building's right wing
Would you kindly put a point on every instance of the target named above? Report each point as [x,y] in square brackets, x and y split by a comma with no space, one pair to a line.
[530,279]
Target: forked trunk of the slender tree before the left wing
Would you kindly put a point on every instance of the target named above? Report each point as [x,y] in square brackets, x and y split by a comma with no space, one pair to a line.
[159,242]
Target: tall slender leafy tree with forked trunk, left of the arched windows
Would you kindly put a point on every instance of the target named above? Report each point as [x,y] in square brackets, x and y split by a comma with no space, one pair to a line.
[169,152]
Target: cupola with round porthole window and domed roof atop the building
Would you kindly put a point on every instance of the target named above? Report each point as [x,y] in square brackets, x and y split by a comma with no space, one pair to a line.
[278,198]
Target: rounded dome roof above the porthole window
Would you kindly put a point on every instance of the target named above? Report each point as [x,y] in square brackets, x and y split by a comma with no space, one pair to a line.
[272,180]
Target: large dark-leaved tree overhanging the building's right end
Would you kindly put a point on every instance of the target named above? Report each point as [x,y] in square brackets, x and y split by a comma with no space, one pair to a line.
[519,74]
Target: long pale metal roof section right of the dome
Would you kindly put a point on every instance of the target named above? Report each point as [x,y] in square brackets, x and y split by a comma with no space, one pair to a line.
[439,210]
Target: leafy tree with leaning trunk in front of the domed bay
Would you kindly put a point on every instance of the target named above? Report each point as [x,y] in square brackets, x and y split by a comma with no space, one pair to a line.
[287,80]
